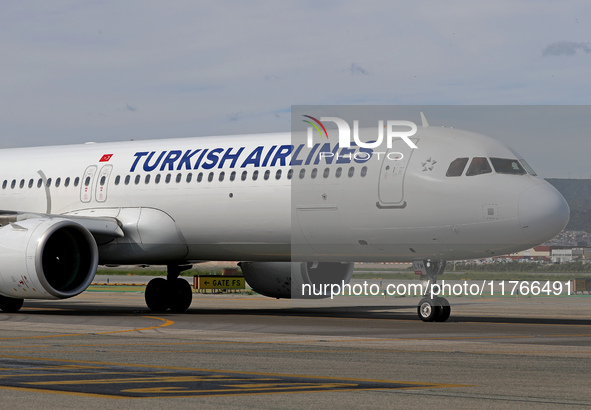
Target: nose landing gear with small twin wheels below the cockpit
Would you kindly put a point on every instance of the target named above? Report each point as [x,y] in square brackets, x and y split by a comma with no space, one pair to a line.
[432,308]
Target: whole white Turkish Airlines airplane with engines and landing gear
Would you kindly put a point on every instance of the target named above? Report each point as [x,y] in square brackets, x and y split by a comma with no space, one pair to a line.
[292,213]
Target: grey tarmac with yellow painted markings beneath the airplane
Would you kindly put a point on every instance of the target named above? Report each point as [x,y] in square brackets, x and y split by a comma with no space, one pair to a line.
[105,349]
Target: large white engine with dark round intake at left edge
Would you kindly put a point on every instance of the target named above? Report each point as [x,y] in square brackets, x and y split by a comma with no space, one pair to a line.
[45,258]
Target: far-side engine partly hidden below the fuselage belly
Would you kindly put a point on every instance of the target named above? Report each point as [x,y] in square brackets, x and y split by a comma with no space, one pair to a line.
[286,279]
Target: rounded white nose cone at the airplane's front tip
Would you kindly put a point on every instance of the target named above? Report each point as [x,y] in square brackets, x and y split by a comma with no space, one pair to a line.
[543,212]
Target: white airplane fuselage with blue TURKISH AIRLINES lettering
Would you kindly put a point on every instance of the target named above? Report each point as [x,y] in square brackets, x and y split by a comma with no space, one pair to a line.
[382,210]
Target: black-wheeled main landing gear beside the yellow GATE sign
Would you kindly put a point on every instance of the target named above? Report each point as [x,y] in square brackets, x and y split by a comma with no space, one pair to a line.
[171,293]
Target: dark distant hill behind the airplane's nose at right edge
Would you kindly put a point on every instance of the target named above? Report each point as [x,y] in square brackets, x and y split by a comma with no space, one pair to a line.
[577,193]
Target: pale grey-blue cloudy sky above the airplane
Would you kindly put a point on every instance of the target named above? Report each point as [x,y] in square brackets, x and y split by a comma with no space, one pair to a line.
[79,71]
